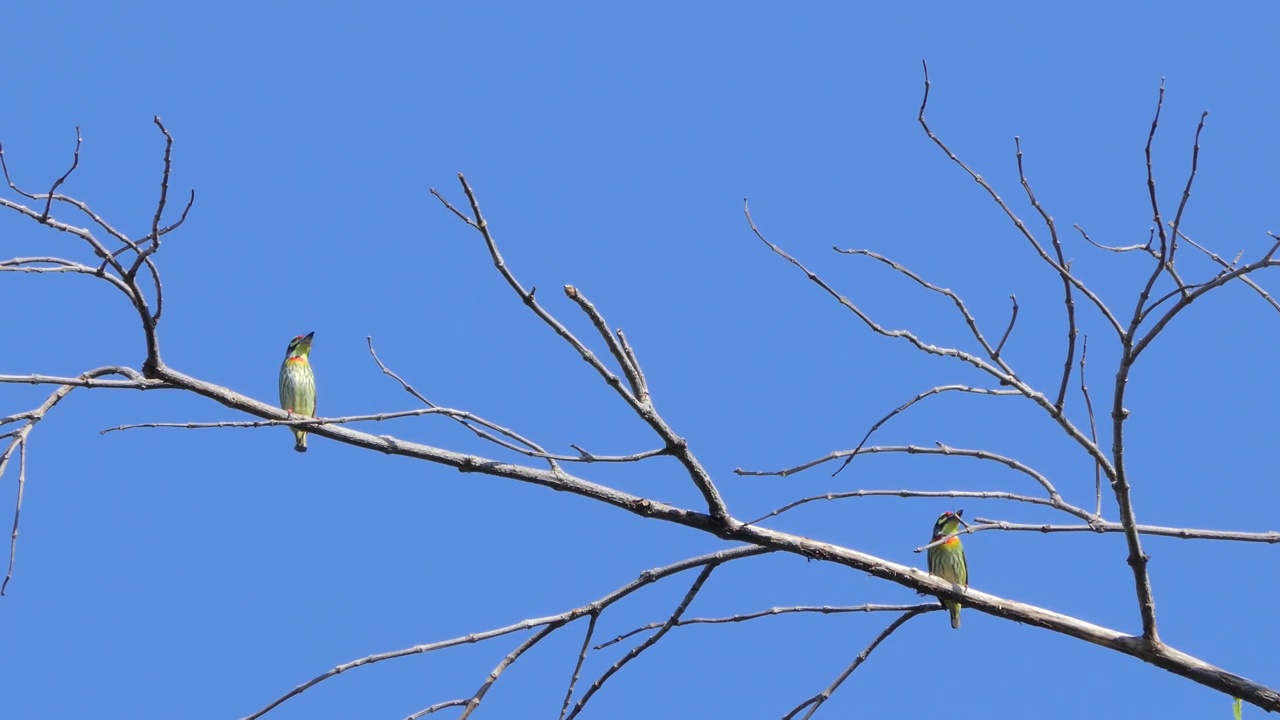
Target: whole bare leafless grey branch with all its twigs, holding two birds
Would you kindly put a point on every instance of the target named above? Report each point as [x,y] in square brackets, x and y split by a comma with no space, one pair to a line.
[632,388]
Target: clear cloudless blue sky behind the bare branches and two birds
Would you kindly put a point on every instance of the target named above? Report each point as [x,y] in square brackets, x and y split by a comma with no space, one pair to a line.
[204,573]
